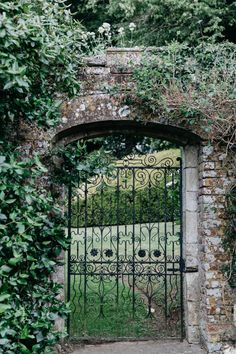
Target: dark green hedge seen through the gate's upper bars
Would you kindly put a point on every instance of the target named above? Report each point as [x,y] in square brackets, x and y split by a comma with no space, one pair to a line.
[152,204]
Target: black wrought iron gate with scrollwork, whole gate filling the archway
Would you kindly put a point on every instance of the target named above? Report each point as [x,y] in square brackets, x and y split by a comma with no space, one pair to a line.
[125,262]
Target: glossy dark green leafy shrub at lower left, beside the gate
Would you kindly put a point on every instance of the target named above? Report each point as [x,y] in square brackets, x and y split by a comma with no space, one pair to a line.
[31,238]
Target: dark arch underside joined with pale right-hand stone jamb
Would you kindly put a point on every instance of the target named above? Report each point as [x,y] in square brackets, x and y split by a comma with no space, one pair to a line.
[80,129]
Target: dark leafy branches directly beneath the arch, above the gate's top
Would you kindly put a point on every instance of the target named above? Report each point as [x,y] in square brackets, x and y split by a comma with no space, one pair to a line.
[93,156]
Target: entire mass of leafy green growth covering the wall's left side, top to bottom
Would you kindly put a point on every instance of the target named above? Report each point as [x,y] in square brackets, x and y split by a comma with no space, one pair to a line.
[40,49]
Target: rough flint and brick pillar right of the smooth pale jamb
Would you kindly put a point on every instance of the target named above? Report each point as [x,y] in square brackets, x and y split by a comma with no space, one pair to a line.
[216,326]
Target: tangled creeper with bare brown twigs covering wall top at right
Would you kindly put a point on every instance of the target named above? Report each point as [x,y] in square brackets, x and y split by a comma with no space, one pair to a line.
[191,86]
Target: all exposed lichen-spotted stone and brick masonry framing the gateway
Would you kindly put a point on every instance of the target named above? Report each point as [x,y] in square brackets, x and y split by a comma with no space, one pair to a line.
[99,110]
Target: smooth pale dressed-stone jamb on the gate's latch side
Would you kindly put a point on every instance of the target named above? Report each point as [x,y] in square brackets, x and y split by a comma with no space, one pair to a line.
[190,242]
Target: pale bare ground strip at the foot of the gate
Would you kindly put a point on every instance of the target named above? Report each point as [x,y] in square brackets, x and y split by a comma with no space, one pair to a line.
[147,347]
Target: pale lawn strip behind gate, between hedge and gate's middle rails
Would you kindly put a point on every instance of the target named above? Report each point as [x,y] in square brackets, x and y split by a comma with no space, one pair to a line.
[147,237]
